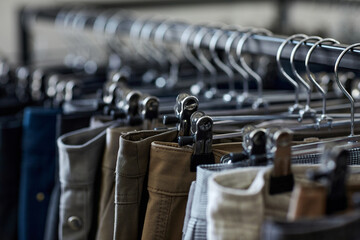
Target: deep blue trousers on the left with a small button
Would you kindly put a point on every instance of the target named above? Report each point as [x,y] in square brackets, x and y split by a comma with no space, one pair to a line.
[37,170]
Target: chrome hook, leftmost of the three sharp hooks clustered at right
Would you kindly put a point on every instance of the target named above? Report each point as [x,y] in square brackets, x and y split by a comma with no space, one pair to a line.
[296,107]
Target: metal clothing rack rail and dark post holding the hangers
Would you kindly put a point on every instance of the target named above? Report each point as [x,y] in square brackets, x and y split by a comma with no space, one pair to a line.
[325,55]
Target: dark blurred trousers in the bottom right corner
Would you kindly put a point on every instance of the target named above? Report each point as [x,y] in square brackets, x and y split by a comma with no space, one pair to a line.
[343,226]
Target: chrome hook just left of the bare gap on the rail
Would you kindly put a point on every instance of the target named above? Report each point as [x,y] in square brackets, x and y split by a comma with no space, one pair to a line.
[239,49]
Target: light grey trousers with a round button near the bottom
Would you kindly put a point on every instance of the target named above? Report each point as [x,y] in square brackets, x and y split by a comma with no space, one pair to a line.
[80,155]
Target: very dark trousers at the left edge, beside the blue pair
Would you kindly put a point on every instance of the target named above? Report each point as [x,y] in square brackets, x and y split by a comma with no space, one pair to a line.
[10,160]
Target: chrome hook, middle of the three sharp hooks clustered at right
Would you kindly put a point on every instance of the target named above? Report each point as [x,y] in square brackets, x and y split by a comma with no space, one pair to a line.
[307,112]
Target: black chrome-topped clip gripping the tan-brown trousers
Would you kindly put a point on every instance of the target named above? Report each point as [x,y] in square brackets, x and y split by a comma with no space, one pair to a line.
[201,130]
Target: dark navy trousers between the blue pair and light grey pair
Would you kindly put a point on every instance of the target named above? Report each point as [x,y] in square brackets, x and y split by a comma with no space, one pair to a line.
[66,123]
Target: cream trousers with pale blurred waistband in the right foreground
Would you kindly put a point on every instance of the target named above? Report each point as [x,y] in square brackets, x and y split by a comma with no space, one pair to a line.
[239,201]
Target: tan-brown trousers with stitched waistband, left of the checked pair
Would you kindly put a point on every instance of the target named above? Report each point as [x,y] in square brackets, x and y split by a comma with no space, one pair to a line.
[168,186]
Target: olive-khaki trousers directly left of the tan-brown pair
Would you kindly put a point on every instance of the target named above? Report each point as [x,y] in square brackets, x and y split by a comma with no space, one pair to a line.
[131,180]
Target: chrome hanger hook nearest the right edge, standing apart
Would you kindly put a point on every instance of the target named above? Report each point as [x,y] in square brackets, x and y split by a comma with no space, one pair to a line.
[342,88]
